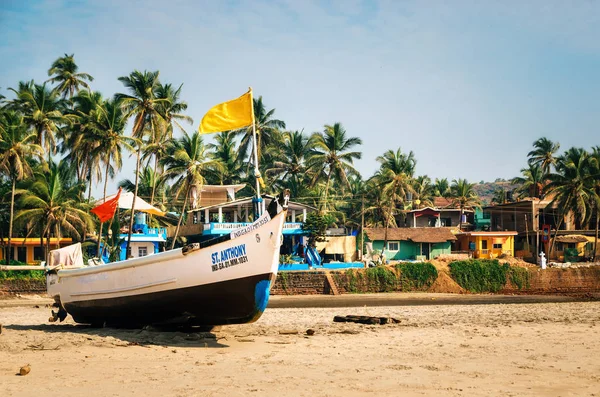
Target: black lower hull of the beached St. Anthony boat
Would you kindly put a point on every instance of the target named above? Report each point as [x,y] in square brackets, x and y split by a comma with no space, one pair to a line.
[225,302]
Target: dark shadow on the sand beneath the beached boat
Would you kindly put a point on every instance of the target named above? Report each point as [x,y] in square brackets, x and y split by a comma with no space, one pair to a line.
[166,336]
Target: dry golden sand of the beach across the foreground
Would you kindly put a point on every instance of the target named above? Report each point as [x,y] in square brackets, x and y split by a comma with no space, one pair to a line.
[548,349]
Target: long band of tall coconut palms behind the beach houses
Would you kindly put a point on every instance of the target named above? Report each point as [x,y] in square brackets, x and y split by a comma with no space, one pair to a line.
[60,138]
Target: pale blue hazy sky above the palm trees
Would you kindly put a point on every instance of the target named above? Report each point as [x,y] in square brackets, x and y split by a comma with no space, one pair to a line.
[468,86]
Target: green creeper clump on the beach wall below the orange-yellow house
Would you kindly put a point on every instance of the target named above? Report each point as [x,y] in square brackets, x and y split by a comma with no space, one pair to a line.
[479,275]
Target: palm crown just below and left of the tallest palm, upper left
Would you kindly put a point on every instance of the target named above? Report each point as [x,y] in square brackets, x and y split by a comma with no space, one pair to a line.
[42,111]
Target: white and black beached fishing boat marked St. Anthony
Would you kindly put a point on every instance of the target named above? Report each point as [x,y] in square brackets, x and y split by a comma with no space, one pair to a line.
[226,280]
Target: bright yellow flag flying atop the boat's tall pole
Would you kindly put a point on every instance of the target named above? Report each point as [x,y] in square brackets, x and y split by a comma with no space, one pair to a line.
[229,115]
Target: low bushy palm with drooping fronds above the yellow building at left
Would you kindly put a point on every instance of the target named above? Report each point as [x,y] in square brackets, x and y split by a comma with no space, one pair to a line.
[51,201]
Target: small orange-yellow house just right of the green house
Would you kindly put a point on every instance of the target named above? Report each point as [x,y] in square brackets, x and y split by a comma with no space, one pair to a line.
[487,245]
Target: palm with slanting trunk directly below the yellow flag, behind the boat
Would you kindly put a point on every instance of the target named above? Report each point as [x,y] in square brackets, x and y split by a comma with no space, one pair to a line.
[187,162]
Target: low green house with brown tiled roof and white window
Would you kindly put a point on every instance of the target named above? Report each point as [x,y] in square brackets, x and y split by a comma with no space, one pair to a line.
[411,243]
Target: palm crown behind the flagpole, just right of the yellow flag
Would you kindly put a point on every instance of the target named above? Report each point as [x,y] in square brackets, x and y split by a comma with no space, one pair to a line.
[266,127]
